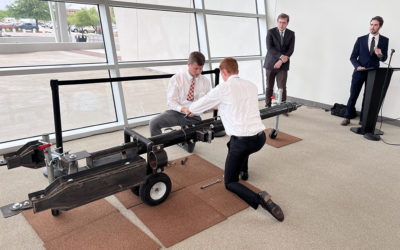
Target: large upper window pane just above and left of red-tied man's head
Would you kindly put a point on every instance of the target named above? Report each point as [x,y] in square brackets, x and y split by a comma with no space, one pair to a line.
[154,35]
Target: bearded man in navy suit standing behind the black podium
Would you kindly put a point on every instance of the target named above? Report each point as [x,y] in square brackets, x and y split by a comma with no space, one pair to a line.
[367,52]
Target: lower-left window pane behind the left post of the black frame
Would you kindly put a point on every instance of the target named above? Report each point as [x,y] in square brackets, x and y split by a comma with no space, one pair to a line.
[27,104]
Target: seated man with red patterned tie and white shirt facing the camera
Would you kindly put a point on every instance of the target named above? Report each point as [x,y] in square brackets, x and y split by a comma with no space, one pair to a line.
[184,88]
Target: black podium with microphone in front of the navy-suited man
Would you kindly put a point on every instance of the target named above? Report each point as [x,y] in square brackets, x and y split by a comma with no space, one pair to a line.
[378,81]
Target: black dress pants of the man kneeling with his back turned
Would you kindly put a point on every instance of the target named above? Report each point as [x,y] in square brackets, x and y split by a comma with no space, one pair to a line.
[239,150]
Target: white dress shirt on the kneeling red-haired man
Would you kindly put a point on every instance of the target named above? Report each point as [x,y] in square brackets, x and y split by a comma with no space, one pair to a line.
[237,101]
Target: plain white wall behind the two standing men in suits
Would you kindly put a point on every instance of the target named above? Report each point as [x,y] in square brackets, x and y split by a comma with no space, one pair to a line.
[325,35]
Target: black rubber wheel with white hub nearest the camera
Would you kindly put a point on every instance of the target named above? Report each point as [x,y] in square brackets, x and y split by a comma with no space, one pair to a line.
[156,189]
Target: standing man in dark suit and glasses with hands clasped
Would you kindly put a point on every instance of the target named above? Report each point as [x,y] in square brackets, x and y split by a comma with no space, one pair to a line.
[280,46]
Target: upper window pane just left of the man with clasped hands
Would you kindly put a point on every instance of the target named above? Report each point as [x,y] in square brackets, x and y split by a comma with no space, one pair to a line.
[232,36]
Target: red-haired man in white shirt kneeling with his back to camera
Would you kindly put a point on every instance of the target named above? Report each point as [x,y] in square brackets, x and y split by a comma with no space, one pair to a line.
[237,101]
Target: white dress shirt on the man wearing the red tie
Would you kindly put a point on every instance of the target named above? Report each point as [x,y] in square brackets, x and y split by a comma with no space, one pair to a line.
[179,86]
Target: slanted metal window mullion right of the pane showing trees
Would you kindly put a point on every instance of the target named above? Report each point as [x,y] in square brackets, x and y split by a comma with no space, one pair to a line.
[112,60]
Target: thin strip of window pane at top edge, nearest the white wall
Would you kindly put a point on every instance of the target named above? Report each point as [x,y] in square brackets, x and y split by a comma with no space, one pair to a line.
[246,6]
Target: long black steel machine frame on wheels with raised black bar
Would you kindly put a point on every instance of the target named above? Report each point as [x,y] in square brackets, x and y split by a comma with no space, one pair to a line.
[110,170]
